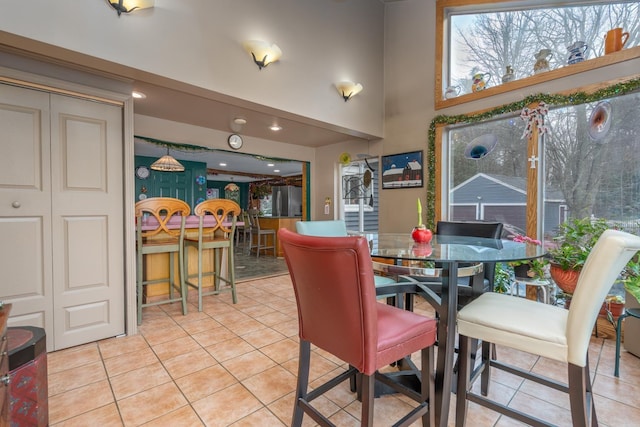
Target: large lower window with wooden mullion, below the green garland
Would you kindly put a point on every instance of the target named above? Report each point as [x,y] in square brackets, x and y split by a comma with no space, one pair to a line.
[572,161]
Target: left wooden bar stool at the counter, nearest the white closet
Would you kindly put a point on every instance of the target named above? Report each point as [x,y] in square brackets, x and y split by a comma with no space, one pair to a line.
[158,232]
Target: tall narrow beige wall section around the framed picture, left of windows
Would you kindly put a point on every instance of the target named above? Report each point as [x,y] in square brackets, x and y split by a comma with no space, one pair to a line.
[409,105]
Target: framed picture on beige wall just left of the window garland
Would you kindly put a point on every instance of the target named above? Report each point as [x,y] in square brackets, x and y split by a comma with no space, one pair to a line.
[404,170]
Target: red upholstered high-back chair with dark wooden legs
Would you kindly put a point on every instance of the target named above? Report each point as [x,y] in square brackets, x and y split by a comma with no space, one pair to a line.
[338,312]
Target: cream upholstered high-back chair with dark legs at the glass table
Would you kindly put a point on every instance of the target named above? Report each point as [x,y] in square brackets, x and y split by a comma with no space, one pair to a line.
[545,330]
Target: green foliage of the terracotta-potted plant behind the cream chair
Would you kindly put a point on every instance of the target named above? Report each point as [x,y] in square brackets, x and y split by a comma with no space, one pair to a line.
[575,240]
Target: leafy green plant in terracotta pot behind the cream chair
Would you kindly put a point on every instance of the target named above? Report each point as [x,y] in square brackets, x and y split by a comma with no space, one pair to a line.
[575,240]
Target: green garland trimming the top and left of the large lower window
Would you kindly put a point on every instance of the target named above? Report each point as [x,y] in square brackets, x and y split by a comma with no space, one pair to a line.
[551,99]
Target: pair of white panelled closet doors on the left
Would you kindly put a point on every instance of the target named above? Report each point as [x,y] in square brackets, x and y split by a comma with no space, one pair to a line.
[61,215]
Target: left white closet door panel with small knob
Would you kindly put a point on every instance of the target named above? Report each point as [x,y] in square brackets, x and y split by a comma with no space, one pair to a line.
[25,207]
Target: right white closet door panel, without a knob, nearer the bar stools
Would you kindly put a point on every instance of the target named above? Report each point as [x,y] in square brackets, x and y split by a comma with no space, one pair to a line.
[87,220]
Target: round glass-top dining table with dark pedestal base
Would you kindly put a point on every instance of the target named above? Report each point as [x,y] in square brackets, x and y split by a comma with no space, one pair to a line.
[450,252]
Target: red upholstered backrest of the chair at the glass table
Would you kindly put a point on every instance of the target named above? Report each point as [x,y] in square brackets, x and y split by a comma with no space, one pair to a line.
[335,294]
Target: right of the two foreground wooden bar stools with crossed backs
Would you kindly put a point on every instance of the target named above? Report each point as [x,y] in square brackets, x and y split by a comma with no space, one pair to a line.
[216,236]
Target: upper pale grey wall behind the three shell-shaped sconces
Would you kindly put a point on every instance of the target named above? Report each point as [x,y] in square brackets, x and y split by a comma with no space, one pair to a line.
[199,42]
